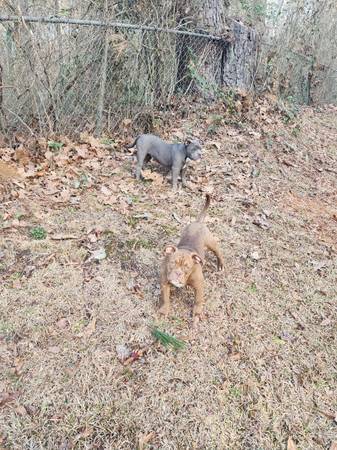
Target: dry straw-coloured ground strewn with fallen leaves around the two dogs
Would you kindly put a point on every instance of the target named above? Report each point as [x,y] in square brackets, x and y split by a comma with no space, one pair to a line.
[260,371]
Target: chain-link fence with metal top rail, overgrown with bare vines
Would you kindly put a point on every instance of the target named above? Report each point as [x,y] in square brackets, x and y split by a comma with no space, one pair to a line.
[62,75]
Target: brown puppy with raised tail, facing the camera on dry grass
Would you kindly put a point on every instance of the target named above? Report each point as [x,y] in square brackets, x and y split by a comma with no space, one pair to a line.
[183,264]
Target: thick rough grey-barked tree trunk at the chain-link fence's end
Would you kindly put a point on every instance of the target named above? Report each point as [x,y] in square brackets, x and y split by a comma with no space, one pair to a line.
[205,66]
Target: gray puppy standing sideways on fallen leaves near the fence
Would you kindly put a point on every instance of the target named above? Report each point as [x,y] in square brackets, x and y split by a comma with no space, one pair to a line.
[169,155]
